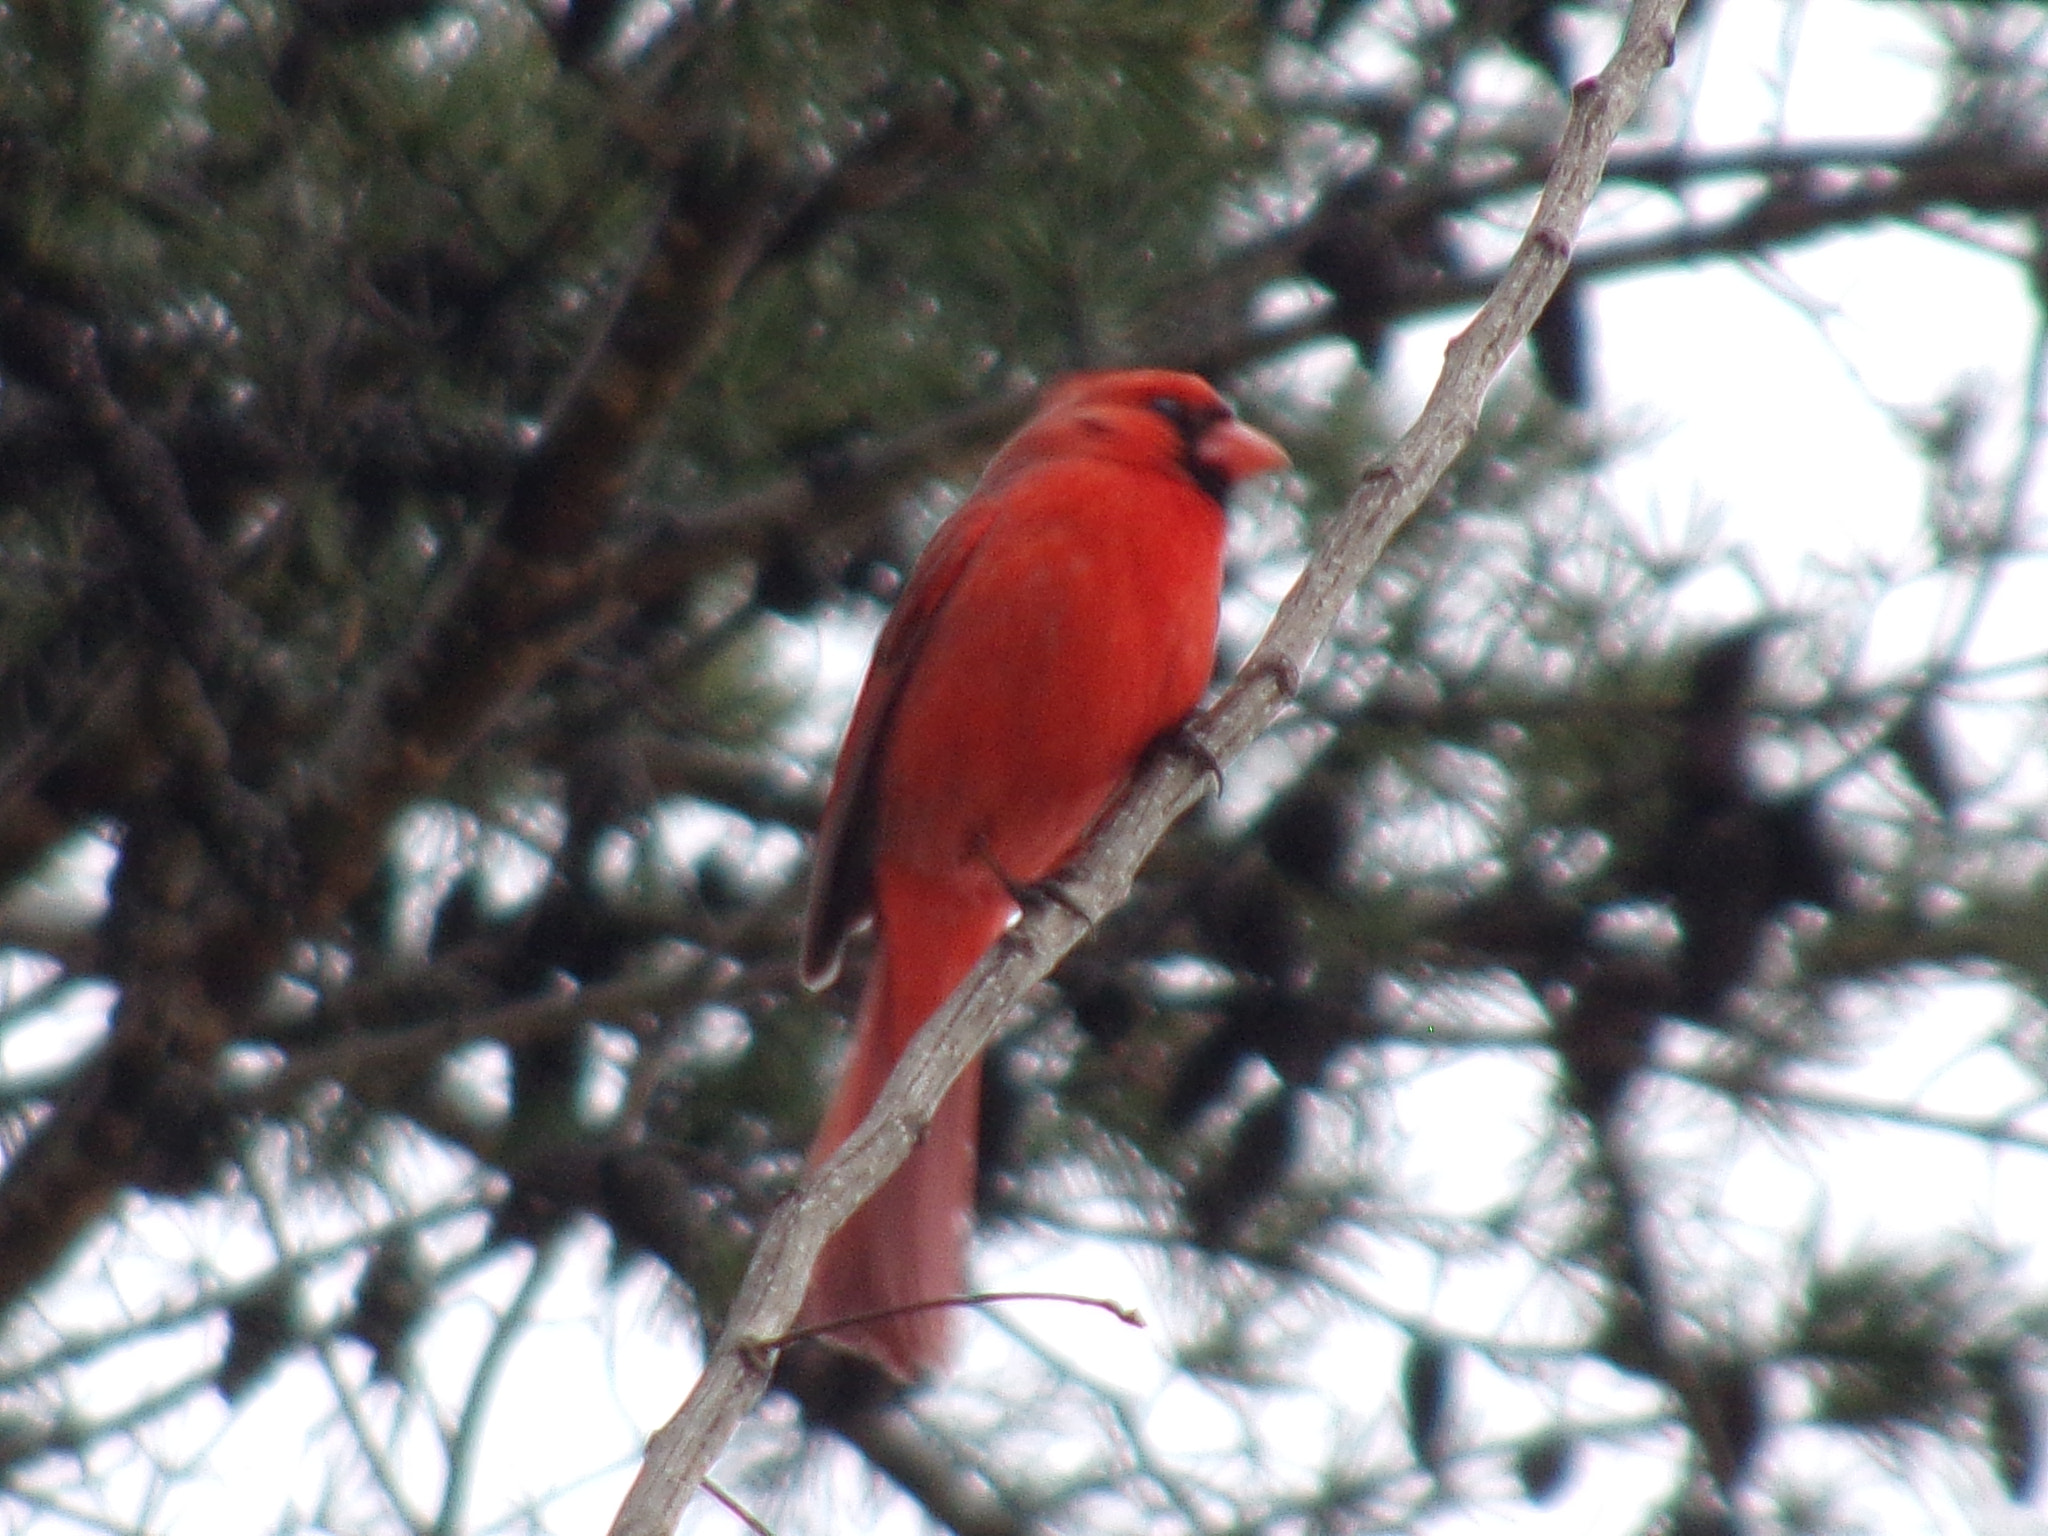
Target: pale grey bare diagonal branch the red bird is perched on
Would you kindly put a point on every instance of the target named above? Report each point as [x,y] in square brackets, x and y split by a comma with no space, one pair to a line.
[734,1379]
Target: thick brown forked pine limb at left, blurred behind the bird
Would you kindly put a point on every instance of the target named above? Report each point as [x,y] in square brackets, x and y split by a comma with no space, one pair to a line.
[144,1111]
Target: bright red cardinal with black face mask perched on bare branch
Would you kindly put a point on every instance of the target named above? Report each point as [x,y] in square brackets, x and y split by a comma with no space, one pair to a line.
[1056,628]
